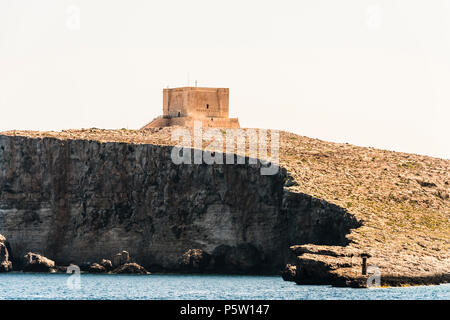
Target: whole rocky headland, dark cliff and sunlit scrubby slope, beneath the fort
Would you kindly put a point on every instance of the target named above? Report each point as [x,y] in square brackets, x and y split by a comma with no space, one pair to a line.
[83,195]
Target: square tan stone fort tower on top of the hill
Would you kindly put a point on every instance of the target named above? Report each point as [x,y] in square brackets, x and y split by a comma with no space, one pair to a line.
[182,106]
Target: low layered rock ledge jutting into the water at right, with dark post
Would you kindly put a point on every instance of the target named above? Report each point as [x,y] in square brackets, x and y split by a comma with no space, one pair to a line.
[348,267]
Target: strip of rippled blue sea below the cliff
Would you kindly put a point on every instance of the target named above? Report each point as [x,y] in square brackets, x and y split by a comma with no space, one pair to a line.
[158,286]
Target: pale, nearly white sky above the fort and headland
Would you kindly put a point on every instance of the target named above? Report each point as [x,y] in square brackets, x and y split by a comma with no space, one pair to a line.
[366,72]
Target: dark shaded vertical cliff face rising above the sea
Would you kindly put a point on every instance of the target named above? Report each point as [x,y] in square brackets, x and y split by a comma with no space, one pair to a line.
[79,201]
